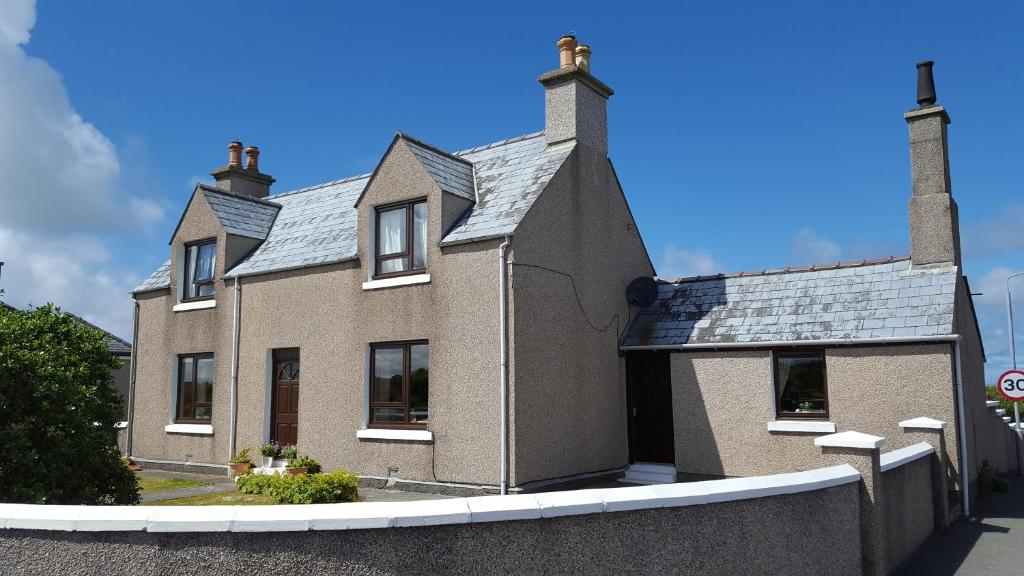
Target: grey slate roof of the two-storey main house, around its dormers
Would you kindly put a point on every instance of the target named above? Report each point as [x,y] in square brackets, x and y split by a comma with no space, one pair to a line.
[318,225]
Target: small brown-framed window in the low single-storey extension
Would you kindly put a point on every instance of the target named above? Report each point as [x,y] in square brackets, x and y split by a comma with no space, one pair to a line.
[800,386]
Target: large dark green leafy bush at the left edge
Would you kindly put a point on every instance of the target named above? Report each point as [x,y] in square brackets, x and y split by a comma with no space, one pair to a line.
[58,414]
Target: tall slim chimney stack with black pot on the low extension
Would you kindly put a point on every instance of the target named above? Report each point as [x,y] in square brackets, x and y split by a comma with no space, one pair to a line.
[934,217]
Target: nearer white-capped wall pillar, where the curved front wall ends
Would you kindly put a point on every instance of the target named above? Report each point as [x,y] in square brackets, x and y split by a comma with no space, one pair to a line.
[864,452]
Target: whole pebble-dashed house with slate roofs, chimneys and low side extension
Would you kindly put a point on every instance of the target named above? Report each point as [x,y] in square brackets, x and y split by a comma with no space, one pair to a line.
[488,319]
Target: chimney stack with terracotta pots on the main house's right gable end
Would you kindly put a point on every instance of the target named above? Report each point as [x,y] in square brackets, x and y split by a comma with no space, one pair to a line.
[575,102]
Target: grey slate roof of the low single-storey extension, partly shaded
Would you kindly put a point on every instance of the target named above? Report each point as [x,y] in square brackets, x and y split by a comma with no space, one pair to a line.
[872,300]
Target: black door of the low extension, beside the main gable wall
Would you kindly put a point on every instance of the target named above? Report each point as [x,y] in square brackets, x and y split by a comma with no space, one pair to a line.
[649,381]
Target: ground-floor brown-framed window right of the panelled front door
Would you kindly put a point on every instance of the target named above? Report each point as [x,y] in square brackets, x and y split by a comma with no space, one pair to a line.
[399,388]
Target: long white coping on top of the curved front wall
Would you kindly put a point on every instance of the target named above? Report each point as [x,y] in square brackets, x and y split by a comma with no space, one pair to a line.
[359,516]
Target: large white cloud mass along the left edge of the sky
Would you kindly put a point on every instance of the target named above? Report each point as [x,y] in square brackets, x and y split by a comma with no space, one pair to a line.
[61,187]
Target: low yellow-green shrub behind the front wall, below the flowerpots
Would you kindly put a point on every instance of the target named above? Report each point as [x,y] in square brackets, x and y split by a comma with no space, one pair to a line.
[337,486]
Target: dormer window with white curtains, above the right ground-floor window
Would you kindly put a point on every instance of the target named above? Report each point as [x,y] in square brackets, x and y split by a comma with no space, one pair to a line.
[402,239]
